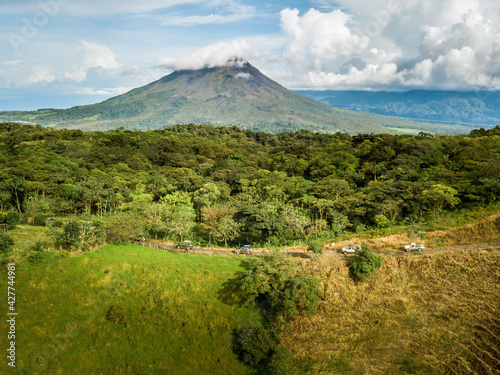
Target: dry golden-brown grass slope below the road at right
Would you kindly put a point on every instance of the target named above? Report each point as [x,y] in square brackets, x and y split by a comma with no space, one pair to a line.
[422,314]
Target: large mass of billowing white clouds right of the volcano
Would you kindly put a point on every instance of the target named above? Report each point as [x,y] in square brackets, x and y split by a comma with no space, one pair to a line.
[450,44]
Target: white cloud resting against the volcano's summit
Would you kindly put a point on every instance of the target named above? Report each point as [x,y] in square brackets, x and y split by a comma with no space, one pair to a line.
[213,55]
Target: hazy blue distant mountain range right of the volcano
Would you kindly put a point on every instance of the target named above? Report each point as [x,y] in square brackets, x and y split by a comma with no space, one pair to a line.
[459,107]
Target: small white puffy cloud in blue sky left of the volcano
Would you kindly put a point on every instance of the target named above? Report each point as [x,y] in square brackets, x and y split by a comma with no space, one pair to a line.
[95,56]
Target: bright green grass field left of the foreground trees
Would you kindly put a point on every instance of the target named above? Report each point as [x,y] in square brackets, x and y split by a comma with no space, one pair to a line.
[125,310]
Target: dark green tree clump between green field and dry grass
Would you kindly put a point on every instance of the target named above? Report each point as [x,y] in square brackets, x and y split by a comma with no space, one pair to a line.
[280,289]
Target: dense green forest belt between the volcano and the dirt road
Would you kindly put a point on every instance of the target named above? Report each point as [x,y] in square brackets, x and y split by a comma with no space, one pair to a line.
[235,184]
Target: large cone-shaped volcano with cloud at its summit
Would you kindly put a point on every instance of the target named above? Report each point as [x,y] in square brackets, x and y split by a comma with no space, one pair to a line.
[235,94]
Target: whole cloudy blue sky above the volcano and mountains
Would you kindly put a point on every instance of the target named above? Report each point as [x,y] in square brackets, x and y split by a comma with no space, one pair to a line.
[61,53]
